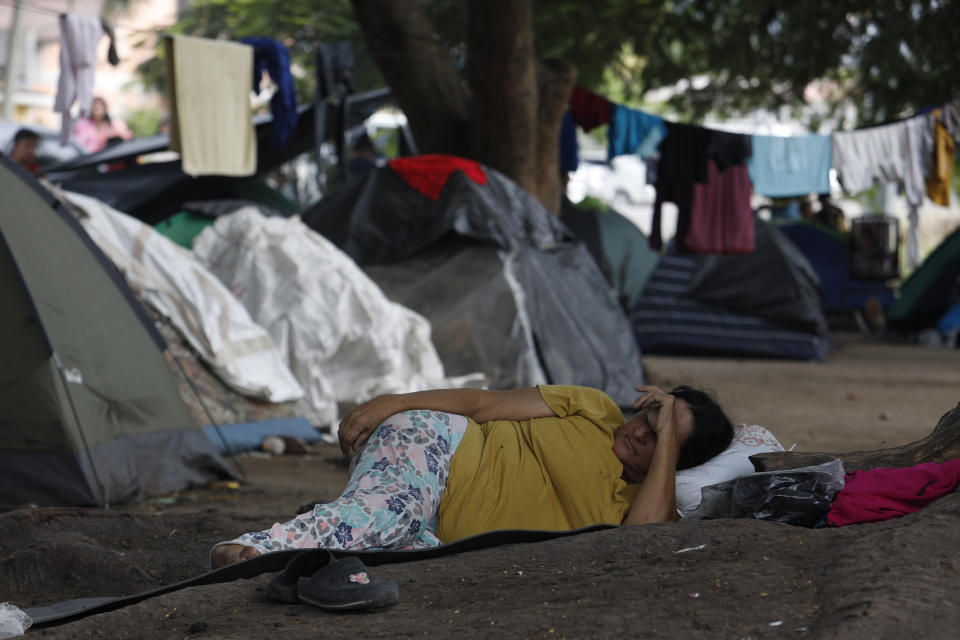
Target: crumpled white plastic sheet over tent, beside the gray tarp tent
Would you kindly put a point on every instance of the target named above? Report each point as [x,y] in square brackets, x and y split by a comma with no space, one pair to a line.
[344,340]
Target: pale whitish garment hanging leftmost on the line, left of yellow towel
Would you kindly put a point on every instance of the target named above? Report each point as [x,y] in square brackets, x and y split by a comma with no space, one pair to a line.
[79,37]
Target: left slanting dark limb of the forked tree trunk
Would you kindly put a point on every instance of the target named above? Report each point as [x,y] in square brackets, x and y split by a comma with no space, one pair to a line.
[420,72]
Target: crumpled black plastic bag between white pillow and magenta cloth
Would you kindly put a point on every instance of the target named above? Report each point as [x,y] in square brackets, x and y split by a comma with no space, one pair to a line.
[794,496]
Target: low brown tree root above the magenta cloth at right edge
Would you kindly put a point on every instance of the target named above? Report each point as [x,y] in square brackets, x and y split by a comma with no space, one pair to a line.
[941,445]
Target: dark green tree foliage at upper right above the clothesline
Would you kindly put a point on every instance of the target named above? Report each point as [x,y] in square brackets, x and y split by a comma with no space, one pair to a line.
[887,59]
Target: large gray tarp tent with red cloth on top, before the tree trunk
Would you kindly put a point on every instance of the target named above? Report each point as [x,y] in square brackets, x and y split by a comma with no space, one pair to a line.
[506,288]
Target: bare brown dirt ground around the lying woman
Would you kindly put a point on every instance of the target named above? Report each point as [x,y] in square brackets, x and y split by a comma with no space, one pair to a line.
[750,579]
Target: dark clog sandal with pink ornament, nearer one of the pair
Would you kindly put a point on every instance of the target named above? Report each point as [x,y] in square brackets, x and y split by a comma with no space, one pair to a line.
[345,585]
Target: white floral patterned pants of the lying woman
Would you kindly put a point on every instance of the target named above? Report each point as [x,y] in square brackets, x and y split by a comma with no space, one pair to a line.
[392,498]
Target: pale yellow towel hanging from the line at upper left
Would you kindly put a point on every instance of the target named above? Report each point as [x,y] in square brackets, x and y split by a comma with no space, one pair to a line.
[210,124]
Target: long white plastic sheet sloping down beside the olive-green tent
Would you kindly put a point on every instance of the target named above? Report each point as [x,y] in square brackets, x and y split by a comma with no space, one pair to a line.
[171,280]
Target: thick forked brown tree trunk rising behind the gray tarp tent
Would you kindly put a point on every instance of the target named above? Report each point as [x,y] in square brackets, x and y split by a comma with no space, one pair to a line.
[508,117]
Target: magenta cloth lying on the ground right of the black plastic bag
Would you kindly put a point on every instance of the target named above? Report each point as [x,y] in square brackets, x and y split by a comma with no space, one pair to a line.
[881,494]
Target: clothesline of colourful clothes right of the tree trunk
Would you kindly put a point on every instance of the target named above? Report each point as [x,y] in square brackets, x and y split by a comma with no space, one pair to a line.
[710,173]
